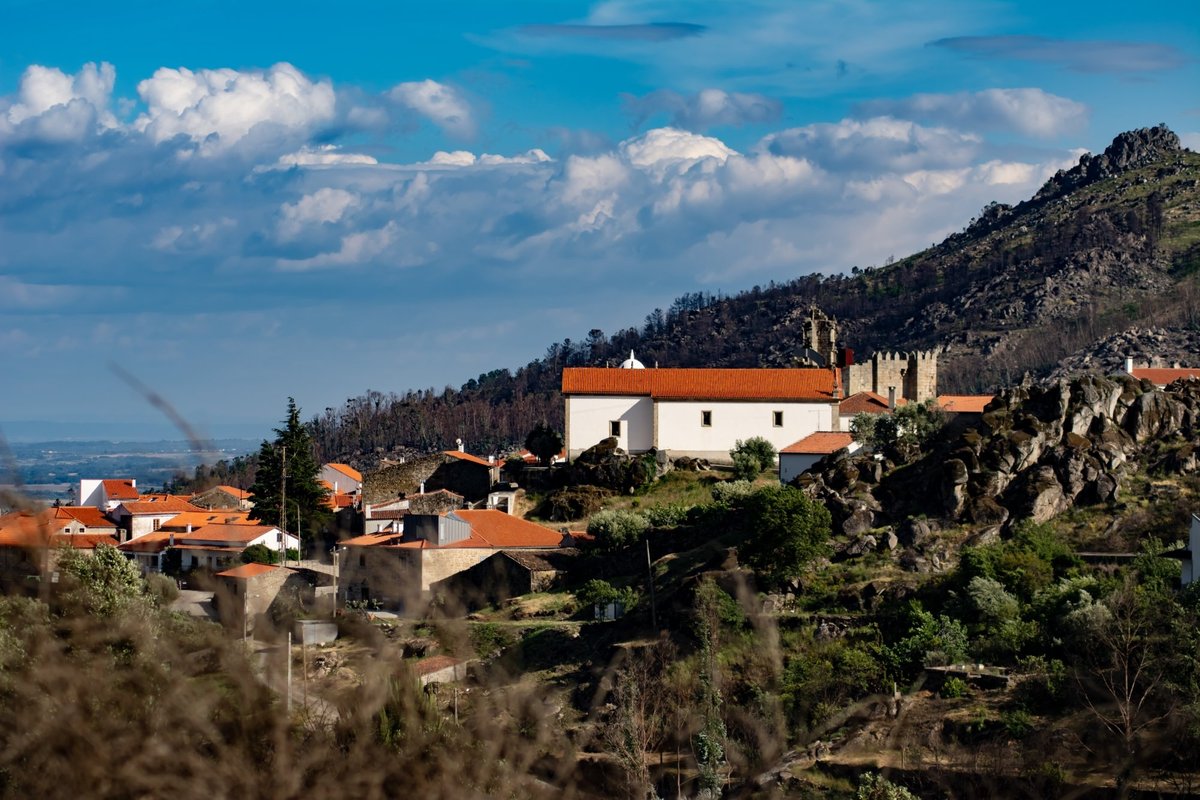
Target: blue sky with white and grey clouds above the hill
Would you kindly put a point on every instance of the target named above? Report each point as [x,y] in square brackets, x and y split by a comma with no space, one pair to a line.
[242,202]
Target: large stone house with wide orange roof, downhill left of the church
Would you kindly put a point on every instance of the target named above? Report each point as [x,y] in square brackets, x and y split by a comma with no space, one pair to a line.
[398,572]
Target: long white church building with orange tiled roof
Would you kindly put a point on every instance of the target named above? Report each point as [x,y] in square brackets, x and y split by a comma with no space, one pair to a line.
[698,413]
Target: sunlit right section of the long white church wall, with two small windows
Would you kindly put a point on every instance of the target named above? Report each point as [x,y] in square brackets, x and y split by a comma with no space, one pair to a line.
[682,434]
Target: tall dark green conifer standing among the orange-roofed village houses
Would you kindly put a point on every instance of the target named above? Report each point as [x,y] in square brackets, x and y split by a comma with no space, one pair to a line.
[289,471]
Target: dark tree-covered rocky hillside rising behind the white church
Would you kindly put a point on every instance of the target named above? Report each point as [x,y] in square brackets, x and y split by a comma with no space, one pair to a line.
[1111,246]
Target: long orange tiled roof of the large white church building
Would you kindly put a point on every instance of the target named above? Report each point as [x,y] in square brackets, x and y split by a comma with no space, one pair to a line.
[806,386]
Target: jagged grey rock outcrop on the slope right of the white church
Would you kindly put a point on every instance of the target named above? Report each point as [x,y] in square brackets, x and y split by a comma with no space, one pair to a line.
[1039,452]
